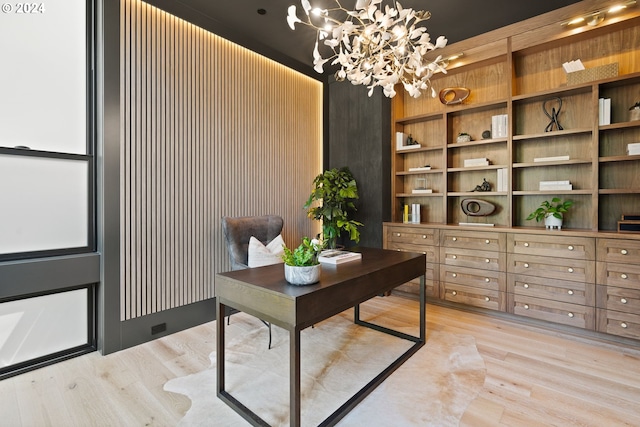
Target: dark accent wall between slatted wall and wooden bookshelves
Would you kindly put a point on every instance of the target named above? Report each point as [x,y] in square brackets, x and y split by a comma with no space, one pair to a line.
[359,137]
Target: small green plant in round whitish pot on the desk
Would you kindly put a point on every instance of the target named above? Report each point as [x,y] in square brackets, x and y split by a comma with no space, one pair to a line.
[301,266]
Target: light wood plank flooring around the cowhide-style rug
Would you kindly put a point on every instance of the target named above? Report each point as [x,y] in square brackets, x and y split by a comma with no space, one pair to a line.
[534,377]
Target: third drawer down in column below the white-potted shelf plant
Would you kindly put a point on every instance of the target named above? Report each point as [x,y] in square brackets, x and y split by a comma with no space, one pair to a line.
[579,293]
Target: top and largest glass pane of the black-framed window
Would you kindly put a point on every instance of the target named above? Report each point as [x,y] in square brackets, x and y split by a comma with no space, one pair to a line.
[44,99]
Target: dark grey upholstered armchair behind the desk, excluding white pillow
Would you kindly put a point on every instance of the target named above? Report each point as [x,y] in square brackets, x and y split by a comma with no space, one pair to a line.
[239,230]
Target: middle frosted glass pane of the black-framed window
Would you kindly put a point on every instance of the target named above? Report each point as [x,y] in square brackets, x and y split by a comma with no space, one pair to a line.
[44,204]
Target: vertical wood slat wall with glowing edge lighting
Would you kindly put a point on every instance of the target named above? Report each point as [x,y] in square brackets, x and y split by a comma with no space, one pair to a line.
[210,129]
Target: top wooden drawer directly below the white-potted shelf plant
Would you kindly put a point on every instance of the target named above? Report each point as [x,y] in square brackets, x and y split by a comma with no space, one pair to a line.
[552,246]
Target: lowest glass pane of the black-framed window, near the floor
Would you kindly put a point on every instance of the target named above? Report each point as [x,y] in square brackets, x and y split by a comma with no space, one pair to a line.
[40,326]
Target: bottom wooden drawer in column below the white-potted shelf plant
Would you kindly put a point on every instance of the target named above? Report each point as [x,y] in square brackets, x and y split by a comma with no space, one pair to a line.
[553,311]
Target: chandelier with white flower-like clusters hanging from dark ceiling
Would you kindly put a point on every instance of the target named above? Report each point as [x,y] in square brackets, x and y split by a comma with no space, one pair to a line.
[374,48]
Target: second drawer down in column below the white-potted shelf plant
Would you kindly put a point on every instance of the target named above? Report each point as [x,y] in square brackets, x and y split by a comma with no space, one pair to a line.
[554,268]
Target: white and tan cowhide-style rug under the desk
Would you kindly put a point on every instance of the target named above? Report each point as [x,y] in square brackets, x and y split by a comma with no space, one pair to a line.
[433,388]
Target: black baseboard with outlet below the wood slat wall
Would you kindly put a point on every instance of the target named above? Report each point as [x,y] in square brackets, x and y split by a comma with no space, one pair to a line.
[150,327]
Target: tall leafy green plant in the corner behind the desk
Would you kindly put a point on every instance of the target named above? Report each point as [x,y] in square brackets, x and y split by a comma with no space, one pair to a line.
[336,191]
